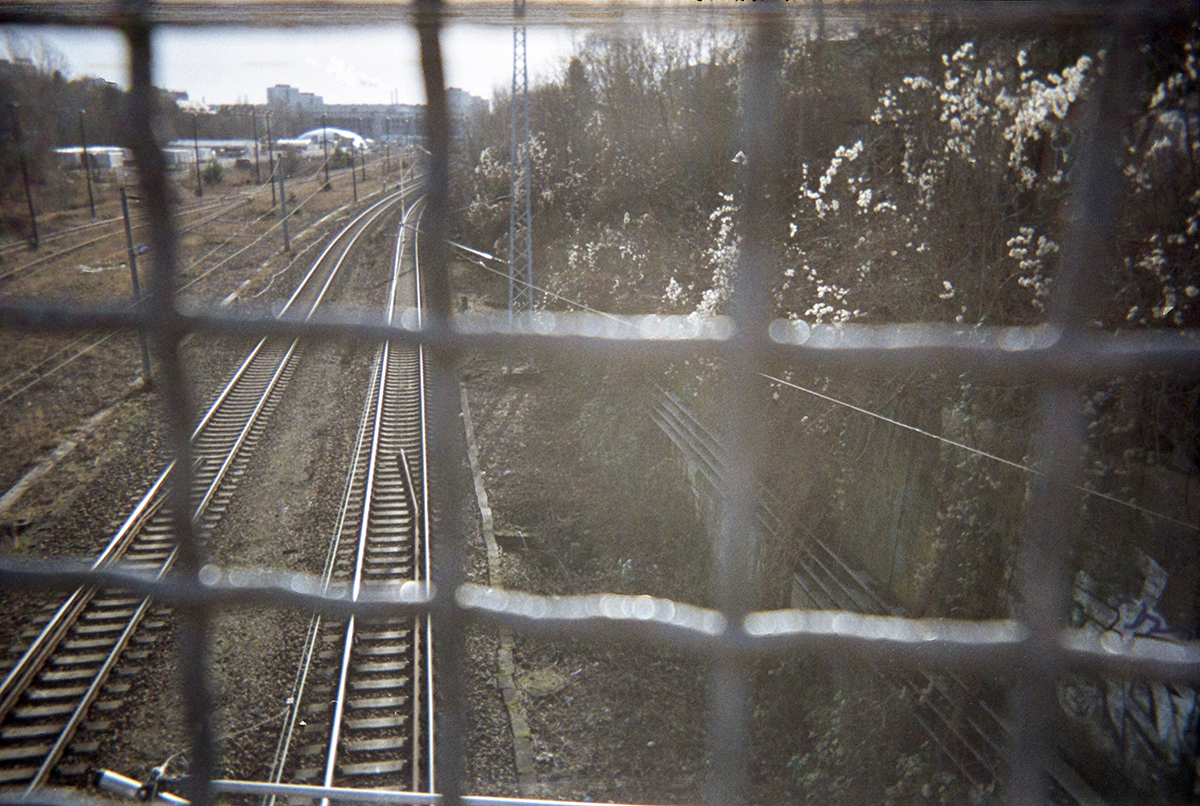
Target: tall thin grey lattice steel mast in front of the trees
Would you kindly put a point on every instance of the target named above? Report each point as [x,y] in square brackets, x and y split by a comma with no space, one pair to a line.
[520,215]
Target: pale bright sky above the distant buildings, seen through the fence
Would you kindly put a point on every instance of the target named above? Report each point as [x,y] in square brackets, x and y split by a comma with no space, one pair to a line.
[346,65]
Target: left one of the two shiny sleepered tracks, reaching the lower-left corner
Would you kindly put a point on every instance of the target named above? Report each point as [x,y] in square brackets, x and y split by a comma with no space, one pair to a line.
[71,667]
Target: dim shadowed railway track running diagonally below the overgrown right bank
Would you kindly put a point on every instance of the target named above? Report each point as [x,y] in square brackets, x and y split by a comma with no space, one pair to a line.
[963,718]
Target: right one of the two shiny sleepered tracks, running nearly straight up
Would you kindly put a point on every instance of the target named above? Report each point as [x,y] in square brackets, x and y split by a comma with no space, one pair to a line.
[364,689]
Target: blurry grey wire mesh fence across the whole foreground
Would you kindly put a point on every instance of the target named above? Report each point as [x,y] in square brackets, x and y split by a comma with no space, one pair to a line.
[1055,356]
